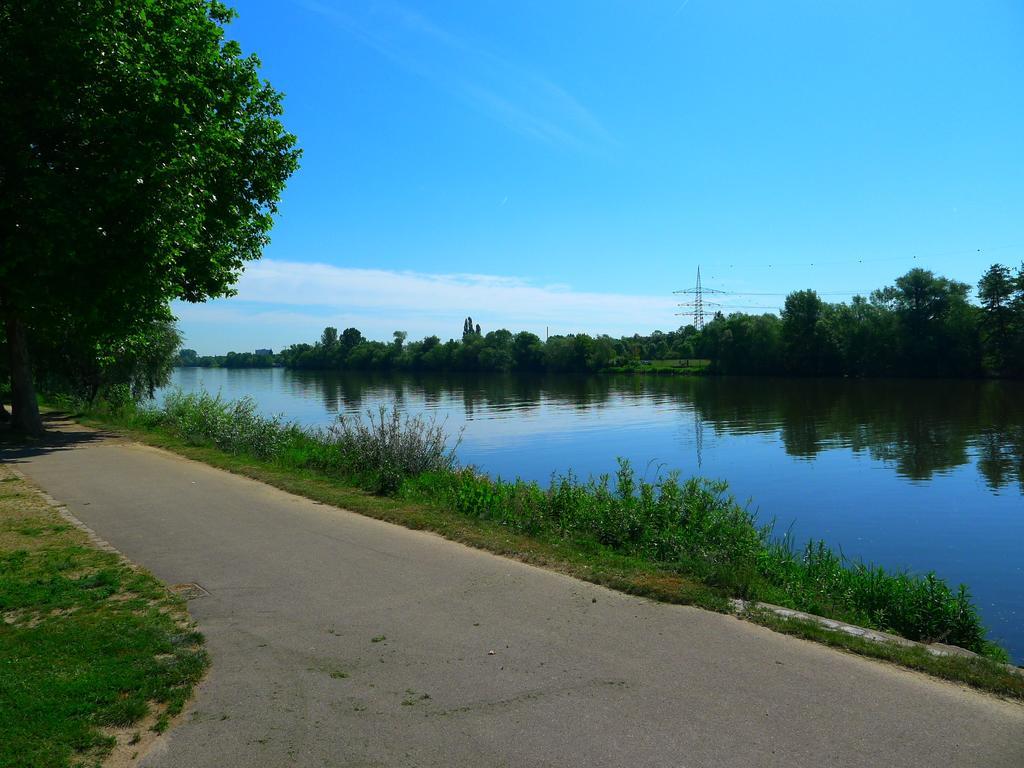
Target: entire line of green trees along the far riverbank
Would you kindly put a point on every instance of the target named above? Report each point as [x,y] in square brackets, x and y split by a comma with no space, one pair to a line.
[924,325]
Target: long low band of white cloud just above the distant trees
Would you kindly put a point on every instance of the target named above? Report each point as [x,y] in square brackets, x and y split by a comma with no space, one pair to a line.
[282,303]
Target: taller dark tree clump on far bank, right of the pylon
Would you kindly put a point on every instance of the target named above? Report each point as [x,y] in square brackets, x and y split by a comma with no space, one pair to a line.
[923,326]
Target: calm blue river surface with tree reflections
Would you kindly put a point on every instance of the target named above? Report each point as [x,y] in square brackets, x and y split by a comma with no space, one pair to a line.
[909,475]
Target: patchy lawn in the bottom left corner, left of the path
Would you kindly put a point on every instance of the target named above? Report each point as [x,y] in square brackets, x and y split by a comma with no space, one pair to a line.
[95,654]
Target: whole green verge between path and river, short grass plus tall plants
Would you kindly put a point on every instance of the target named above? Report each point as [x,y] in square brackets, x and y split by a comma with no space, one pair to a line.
[684,543]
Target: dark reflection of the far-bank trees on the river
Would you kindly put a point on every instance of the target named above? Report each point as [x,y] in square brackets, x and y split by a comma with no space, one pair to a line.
[921,429]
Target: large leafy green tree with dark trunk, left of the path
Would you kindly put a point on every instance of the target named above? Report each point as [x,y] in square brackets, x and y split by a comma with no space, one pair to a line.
[142,161]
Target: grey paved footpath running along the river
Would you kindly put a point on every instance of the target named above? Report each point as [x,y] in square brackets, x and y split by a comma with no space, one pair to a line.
[338,641]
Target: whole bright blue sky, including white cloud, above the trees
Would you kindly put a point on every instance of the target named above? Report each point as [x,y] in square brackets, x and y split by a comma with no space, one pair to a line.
[570,164]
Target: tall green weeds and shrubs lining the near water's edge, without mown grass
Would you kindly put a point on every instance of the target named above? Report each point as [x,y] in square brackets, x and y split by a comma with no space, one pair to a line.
[693,529]
